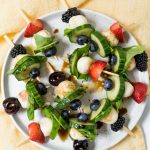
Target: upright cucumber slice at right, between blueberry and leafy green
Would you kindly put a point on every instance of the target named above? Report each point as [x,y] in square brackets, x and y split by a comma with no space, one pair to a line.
[121,59]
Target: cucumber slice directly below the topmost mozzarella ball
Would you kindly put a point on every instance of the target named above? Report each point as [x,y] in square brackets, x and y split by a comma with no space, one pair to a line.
[85,29]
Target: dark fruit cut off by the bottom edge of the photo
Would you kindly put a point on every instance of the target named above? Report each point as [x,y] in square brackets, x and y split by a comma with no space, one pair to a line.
[80,145]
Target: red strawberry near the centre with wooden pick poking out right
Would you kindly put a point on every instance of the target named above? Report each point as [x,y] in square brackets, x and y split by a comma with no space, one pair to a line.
[96,69]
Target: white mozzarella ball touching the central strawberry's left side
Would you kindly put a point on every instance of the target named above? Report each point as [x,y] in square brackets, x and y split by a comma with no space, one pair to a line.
[83,64]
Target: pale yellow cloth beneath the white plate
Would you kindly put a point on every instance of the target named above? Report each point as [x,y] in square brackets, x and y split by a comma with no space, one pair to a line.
[133,14]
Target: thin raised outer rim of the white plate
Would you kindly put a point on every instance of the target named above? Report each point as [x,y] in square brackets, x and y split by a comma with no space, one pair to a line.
[18,37]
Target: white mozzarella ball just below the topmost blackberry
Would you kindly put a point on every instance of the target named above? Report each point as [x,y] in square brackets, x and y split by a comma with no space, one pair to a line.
[76,21]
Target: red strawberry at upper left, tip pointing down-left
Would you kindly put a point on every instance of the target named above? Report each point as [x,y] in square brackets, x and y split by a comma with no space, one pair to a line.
[33,27]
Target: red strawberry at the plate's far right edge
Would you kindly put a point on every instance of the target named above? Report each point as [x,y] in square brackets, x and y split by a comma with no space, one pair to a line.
[139,92]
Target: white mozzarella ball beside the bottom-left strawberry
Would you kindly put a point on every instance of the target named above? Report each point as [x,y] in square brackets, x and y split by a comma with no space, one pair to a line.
[46,126]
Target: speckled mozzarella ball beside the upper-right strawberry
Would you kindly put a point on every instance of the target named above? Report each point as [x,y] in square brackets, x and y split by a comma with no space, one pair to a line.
[110,37]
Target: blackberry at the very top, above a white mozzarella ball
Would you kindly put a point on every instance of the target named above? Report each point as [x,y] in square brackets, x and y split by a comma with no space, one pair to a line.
[70,13]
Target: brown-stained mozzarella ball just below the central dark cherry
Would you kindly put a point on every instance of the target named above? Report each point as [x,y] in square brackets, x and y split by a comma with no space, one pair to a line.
[64,88]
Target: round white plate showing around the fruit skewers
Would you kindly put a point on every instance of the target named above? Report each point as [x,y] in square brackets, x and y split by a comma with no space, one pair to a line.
[11,87]
